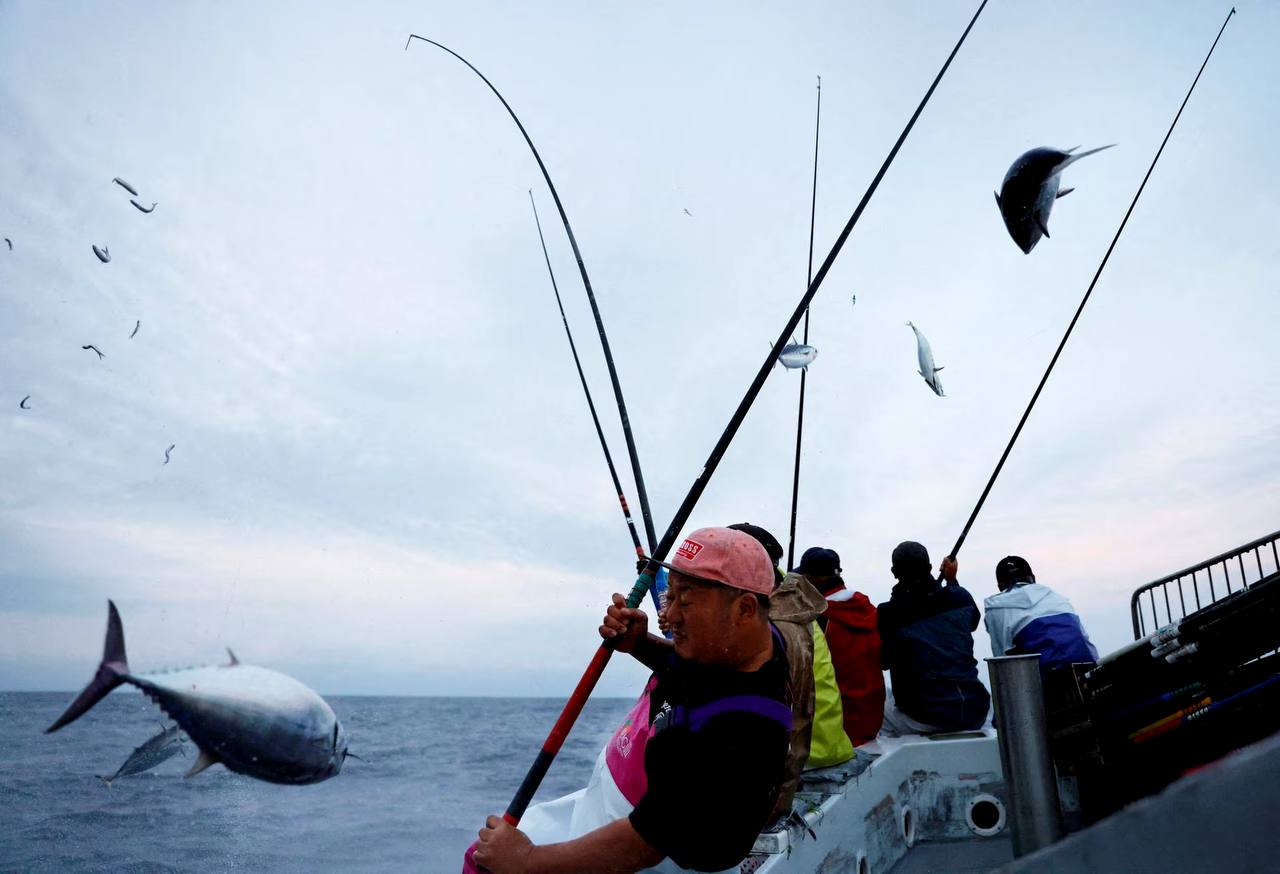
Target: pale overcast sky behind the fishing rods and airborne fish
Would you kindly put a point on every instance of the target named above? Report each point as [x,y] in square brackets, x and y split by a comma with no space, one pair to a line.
[385,477]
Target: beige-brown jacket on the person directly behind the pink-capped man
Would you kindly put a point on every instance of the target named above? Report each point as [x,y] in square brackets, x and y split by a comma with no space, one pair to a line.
[793,608]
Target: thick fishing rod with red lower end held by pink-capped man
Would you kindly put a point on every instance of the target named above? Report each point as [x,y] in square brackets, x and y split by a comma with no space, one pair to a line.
[578,699]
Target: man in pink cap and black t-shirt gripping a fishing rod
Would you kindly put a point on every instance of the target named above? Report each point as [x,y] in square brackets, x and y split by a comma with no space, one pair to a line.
[720,720]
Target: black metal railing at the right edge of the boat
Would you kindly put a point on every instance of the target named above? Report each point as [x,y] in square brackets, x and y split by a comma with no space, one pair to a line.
[1182,594]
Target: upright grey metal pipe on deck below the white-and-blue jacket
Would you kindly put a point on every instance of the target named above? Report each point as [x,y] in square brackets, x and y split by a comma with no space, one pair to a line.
[1035,814]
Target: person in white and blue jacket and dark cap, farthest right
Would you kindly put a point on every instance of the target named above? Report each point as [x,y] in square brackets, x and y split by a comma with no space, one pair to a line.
[1026,617]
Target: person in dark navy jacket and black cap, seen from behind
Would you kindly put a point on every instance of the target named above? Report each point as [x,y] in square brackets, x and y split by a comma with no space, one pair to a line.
[927,648]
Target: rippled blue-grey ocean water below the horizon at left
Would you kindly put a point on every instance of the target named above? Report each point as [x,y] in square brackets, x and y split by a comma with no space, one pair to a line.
[436,767]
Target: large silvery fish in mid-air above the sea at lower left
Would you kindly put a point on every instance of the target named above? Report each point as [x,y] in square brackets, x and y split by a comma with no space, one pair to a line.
[254,721]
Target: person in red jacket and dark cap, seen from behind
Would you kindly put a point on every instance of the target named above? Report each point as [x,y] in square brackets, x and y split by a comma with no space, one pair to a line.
[849,625]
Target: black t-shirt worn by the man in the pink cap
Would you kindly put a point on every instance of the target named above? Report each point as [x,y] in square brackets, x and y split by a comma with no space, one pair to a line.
[715,762]
